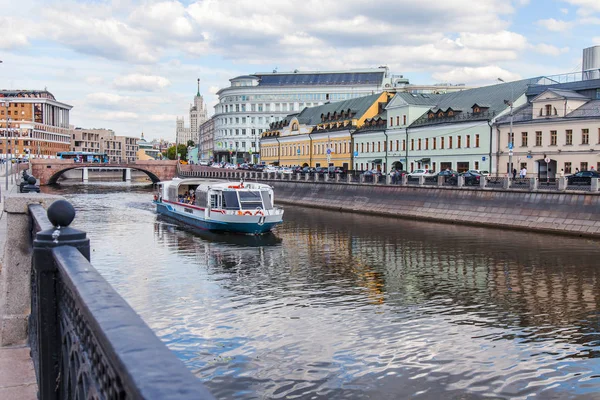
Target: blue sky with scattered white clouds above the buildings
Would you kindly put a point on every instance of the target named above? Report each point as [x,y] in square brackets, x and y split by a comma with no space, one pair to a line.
[132,66]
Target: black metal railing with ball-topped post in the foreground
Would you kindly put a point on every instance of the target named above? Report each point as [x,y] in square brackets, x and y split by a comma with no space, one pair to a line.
[86,341]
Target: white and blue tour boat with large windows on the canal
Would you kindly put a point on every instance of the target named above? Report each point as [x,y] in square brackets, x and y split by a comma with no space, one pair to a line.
[244,207]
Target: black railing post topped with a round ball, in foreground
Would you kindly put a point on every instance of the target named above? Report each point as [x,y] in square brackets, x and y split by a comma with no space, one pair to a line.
[44,332]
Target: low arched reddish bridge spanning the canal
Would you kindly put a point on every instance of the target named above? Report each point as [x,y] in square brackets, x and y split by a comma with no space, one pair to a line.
[48,171]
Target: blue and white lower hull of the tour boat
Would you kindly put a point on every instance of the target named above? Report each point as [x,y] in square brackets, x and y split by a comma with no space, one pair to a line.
[250,225]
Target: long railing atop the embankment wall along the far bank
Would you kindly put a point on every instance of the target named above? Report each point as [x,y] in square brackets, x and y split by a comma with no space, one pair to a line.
[484,183]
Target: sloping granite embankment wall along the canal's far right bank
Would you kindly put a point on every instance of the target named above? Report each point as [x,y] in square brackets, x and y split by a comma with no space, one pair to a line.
[565,213]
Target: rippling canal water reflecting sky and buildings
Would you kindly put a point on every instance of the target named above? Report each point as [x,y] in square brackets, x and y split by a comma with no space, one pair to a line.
[336,305]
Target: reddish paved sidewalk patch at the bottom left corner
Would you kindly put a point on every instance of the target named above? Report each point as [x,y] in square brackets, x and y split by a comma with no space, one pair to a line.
[17,376]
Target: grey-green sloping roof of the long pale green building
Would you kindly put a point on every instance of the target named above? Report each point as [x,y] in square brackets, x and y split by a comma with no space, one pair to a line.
[492,96]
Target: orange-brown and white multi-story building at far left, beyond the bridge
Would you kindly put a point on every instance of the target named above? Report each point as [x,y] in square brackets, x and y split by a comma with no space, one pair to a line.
[33,122]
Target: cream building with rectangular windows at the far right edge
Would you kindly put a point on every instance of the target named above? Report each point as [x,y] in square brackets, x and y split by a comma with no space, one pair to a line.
[558,129]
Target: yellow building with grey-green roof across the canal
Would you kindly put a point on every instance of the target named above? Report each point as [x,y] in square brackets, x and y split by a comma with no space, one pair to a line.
[320,136]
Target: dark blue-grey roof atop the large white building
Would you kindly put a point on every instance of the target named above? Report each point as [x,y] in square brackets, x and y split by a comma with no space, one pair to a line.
[320,79]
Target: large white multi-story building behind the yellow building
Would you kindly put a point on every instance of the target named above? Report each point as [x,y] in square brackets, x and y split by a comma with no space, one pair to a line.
[252,102]
